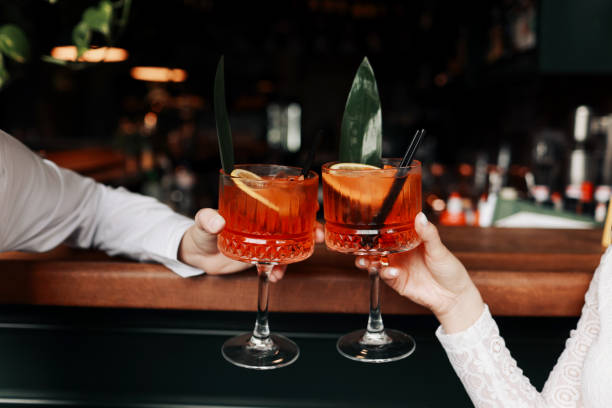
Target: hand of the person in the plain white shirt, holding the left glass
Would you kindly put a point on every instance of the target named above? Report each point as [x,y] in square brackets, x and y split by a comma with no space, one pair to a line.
[198,247]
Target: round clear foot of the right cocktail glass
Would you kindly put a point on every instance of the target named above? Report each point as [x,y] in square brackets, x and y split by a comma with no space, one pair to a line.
[390,345]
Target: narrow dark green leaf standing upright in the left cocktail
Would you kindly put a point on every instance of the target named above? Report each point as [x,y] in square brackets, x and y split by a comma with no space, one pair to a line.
[224,133]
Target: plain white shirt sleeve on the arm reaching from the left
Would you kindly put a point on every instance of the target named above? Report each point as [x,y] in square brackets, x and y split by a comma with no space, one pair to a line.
[43,205]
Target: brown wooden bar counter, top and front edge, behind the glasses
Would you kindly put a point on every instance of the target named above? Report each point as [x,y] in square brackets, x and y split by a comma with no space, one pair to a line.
[520,272]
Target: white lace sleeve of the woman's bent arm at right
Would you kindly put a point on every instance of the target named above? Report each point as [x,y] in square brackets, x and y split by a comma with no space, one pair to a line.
[490,374]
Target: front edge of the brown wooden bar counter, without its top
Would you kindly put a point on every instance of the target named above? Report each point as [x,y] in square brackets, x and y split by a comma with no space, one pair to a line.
[324,289]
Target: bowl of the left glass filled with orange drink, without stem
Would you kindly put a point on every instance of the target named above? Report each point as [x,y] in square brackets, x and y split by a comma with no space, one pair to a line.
[269,212]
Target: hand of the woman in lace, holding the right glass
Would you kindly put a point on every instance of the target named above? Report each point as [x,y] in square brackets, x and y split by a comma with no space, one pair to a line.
[432,276]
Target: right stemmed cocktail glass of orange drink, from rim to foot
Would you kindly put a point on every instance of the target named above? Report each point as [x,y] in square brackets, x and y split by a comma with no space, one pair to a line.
[354,224]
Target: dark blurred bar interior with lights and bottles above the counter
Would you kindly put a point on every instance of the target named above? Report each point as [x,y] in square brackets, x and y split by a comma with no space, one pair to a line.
[513,94]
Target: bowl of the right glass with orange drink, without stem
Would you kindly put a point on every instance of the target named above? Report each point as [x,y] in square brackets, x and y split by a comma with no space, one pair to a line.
[353,200]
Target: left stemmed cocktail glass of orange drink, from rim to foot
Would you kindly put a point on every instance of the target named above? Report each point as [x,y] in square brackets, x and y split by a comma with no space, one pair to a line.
[270,214]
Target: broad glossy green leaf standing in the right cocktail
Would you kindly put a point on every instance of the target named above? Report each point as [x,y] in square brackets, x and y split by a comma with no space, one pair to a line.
[361,133]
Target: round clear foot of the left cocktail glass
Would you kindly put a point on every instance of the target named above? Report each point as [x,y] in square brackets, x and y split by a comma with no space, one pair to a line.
[249,352]
